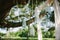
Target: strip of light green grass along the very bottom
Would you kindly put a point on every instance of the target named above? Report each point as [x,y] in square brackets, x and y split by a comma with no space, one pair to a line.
[24,38]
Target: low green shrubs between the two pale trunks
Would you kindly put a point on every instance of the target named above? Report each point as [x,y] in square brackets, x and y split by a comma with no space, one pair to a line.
[49,34]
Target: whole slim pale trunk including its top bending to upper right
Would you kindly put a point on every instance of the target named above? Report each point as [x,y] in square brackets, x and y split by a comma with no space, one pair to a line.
[37,12]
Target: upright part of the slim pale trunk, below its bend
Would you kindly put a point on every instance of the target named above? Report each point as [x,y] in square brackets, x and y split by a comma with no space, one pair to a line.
[37,12]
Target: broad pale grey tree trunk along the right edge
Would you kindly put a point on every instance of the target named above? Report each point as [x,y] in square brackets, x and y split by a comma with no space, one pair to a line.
[57,19]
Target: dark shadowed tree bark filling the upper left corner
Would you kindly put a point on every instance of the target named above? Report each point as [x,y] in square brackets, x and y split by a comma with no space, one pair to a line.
[6,5]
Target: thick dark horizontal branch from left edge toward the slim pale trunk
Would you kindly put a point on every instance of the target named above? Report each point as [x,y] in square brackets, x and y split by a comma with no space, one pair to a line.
[12,24]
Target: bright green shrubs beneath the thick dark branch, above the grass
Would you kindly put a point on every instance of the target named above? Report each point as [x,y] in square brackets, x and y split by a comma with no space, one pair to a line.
[20,33]
